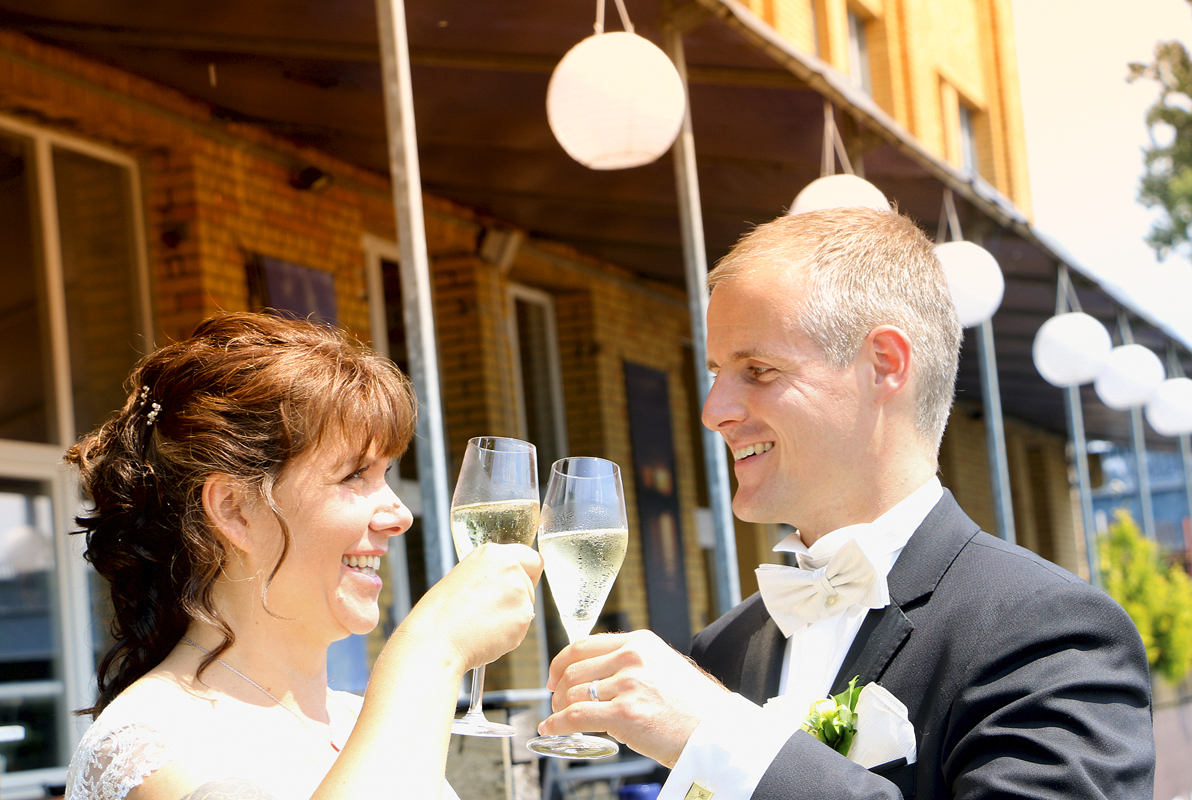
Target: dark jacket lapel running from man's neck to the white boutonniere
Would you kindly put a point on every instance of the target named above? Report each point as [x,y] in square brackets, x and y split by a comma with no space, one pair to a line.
[917,573]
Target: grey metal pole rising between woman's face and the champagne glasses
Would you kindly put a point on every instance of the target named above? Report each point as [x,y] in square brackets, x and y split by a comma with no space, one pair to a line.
[417,296]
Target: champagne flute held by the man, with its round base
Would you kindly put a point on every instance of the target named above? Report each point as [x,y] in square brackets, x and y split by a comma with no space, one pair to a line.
[583,537]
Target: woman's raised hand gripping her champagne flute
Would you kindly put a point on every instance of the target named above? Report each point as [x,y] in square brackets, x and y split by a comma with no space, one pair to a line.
[482,609]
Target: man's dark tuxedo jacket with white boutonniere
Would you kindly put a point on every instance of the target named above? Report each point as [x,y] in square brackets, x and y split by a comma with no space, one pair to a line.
[1021,680]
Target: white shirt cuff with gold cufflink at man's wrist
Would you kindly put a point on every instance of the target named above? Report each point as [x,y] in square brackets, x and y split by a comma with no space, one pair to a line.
[730,751]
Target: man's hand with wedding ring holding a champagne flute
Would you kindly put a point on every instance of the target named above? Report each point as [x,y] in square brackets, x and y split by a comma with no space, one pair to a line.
[651,697]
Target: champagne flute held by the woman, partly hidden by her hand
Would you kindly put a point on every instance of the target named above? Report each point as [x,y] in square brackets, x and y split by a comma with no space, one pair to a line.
[495,500]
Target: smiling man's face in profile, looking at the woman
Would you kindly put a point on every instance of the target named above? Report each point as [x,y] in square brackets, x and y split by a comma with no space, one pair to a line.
[799,430]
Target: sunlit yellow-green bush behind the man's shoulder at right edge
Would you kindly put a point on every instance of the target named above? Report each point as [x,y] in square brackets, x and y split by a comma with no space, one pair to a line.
[1158,597]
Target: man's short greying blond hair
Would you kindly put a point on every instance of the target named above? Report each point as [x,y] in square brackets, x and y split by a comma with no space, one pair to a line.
[864,269]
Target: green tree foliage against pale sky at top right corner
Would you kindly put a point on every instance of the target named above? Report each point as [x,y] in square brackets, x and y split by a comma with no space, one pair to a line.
[1168,182]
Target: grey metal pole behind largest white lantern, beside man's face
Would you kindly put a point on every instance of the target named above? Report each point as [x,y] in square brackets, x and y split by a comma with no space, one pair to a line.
[696,262]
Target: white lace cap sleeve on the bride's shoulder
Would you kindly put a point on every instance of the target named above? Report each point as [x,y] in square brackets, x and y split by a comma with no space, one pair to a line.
[113,762]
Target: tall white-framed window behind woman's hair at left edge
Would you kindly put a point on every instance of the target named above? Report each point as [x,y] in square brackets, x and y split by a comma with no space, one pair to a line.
[76,315]
